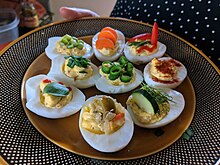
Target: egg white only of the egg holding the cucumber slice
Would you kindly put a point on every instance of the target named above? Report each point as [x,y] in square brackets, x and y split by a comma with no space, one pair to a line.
[176,108]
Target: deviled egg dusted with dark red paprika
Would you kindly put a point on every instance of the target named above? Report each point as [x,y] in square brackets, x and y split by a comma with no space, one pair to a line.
[164,72]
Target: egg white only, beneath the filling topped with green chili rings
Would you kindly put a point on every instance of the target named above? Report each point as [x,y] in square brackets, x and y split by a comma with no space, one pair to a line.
[103,85]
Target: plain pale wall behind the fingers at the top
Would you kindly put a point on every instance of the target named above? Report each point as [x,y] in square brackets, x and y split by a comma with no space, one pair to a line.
[102,7]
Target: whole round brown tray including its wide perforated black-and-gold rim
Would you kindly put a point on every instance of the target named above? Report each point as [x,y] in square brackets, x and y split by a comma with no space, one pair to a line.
[26,138]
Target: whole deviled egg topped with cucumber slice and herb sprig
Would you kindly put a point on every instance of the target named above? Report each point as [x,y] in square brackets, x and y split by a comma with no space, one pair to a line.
[152,108]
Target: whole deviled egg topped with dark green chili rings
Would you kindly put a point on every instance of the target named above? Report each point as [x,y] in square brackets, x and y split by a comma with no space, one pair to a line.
[118,77]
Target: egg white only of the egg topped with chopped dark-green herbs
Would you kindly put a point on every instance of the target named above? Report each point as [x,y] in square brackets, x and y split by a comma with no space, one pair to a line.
[57,73]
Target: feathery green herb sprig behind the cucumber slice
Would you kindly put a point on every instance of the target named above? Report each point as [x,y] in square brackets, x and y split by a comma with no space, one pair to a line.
[159,96]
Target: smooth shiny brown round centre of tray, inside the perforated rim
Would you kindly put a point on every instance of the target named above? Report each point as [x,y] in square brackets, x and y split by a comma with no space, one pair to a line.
[65,132]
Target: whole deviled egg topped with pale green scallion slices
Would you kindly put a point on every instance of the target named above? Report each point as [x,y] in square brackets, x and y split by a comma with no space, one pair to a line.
[68,45]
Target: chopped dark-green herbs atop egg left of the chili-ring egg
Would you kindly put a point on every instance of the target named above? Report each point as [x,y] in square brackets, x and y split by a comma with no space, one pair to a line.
[78,61]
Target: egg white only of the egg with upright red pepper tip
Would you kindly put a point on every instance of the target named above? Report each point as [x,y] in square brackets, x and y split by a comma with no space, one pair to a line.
[144,59]
